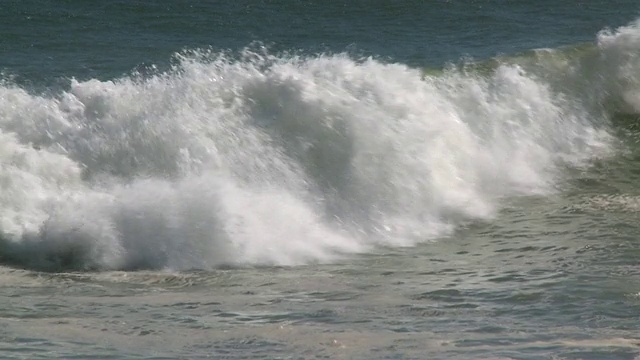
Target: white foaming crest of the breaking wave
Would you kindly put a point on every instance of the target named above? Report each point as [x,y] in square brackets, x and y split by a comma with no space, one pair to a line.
[265,159]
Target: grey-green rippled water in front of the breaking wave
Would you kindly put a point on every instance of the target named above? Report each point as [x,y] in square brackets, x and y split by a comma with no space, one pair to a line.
[545,279]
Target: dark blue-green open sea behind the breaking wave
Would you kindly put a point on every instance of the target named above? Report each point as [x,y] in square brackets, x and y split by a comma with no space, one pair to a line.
[45,40]
